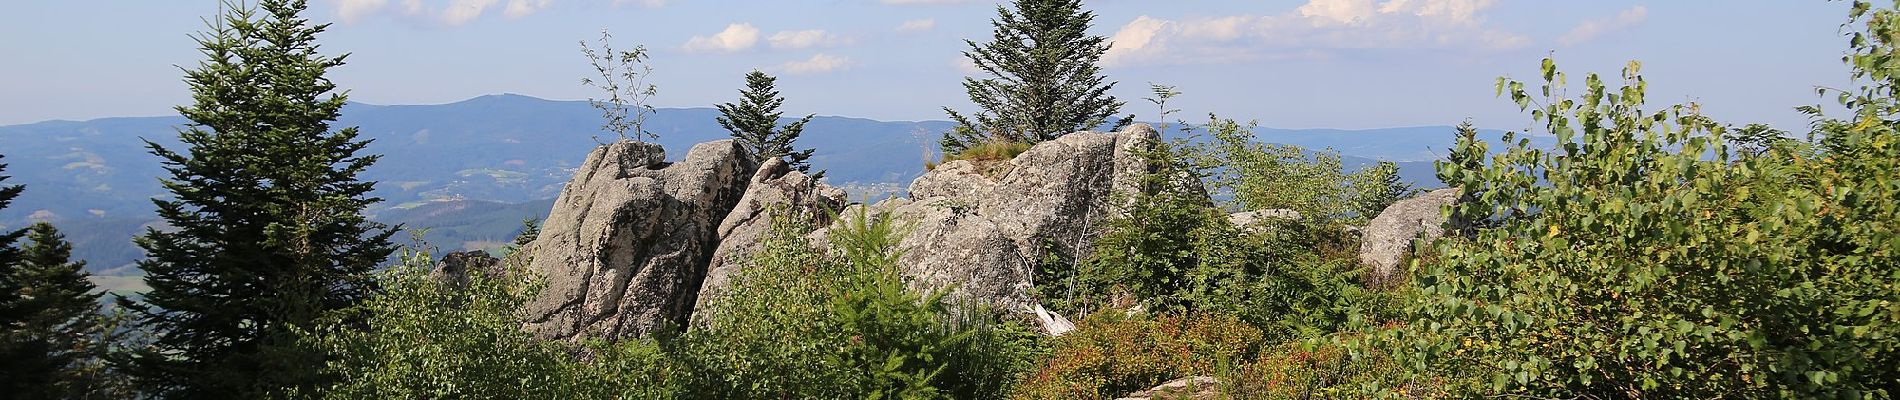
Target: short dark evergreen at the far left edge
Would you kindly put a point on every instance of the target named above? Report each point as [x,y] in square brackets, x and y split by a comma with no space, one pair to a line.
[60,333]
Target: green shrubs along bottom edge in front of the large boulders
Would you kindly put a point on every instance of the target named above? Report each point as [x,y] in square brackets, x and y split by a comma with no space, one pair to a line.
[797,323]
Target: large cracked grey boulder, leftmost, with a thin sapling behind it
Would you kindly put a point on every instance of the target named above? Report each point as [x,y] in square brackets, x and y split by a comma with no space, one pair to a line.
[626,247]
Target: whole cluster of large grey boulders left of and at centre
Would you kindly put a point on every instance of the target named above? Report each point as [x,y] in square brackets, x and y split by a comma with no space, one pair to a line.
[634,244]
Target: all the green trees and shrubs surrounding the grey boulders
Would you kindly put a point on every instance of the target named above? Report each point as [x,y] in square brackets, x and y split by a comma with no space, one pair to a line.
[1654,253]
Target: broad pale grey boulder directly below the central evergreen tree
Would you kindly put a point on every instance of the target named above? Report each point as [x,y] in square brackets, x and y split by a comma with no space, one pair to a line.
[983,228]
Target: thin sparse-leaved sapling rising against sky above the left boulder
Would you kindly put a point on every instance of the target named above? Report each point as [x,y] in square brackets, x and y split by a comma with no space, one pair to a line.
[624,77]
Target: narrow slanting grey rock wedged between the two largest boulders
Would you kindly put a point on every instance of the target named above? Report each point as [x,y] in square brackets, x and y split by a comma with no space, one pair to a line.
[776,191]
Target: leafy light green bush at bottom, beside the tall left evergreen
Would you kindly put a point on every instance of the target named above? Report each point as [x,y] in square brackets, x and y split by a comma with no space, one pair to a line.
[427,338]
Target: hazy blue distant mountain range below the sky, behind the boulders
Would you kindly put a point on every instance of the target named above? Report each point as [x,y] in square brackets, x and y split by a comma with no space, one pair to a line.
[472,172]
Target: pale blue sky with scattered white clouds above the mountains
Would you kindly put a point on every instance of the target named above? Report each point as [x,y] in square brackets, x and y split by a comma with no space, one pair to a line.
[1287,64]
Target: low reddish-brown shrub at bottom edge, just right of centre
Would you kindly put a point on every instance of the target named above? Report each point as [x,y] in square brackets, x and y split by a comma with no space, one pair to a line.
[1112,354]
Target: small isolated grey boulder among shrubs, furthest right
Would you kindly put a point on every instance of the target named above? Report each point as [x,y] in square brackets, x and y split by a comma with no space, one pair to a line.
[1392,236]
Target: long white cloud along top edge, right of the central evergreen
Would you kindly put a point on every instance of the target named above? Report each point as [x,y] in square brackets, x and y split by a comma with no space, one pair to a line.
[1316,29]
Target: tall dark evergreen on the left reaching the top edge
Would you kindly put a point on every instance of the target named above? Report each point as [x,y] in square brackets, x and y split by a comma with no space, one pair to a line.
[265,211]
